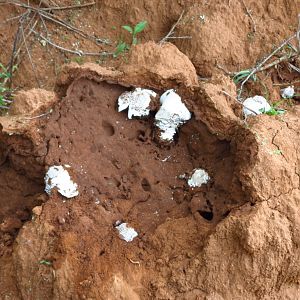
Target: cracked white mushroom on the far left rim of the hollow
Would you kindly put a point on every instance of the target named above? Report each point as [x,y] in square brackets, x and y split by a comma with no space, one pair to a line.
[58,177]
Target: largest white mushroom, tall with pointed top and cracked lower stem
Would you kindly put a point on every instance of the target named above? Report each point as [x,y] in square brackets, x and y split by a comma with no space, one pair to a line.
[172,114]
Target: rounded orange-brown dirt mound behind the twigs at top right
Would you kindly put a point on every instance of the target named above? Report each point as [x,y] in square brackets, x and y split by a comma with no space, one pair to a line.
[237,40]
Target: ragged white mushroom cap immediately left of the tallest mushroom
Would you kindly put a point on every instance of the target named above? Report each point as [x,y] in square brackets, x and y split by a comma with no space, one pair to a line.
[137,102]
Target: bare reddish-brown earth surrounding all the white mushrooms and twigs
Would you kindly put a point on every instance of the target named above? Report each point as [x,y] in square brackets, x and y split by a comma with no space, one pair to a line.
[235,238]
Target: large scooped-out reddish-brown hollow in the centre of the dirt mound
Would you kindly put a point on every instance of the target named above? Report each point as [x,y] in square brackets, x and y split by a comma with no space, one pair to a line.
[125,165]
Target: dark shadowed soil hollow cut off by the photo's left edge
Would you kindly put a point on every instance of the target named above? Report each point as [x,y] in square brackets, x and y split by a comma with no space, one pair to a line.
[20,188]
